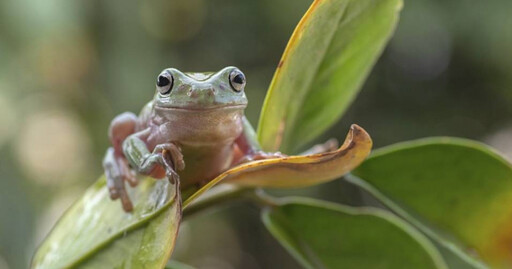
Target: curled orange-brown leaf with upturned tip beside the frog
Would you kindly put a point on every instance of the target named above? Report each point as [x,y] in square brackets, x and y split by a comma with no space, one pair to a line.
[298,171]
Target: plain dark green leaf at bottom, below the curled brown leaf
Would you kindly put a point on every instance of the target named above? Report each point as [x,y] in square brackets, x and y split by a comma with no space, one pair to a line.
[325,235]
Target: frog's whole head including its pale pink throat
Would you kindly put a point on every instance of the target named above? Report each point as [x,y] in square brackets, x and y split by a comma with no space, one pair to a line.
[207,107]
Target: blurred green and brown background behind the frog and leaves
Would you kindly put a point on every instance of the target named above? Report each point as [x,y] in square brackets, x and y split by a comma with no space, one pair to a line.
[68,67]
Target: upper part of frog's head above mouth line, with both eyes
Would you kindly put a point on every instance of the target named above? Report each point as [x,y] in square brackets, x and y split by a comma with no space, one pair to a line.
[200,91]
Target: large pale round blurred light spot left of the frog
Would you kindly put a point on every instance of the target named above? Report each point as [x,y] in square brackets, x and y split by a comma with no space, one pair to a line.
[52,147]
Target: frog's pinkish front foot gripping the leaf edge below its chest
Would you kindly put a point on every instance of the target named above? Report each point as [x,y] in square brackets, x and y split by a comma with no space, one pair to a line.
[172,160]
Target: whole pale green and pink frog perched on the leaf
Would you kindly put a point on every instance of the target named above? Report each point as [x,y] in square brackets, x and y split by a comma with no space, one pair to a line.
[192,130]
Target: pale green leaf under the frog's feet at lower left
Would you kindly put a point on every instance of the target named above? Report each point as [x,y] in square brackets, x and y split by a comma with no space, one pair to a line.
[96,233]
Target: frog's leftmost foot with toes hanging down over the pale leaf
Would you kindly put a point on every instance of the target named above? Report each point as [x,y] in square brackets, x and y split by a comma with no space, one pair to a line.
[117,172]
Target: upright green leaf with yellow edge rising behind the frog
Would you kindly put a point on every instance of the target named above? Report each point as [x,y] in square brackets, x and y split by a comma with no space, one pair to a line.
[325,63]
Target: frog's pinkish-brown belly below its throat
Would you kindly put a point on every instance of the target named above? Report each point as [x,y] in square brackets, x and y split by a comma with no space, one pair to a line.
[204,163]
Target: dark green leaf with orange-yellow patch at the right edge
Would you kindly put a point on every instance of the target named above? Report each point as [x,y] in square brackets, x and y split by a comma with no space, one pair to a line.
[455,186]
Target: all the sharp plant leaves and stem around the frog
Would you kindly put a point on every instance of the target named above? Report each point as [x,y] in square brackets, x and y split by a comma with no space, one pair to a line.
[434,203]
